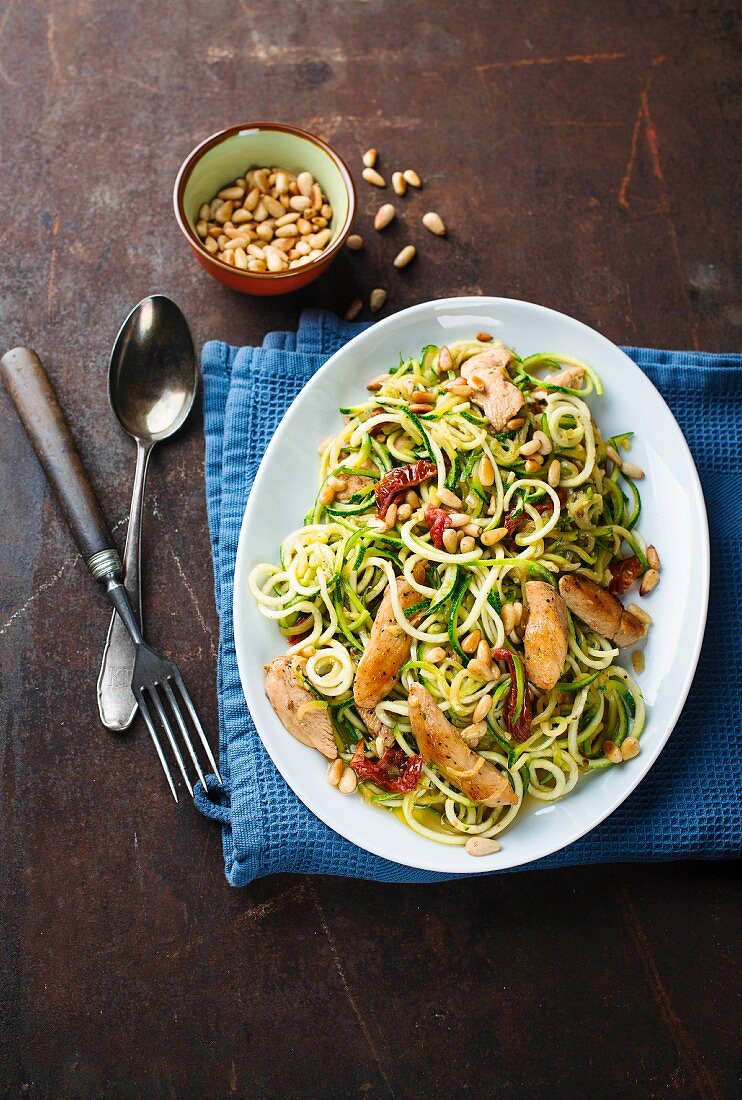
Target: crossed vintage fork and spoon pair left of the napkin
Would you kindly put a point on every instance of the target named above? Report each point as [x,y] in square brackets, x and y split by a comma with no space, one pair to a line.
[152,383]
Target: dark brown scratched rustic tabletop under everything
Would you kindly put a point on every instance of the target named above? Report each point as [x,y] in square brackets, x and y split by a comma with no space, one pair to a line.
[582,155]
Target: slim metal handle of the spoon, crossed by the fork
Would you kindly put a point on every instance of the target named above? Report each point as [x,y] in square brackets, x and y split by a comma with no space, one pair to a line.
[116,702]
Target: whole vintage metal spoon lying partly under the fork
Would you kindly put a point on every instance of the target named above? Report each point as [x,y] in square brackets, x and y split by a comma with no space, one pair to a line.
[152,383]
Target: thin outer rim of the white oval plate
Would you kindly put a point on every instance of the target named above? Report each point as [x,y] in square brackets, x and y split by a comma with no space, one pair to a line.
[477,303]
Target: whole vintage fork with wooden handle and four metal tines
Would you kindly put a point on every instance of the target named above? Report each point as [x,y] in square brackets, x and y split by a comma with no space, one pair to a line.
[157,684]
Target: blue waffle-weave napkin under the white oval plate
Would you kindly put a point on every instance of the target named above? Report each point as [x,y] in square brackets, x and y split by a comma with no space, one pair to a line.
[689,805]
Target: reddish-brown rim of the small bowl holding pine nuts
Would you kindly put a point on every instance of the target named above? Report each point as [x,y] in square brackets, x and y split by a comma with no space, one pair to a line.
[216,139]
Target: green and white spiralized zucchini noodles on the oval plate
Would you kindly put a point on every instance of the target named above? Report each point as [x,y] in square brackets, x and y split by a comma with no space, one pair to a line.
[335,570]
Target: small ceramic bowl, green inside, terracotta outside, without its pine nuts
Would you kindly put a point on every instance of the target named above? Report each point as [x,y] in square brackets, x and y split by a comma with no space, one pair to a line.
[227,156]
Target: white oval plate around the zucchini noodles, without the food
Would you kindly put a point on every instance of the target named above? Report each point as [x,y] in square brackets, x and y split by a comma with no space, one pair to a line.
[673,518]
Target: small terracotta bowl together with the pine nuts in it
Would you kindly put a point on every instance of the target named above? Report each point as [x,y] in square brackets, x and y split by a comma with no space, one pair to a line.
[265,207]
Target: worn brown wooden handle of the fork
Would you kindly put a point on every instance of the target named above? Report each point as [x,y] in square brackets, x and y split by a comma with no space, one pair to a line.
[37,405]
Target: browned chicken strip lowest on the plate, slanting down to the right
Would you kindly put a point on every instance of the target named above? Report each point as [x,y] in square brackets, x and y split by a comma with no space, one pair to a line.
[441,744]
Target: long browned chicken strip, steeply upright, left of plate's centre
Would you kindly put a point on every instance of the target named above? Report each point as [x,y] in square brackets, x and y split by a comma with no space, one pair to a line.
[389,647]
